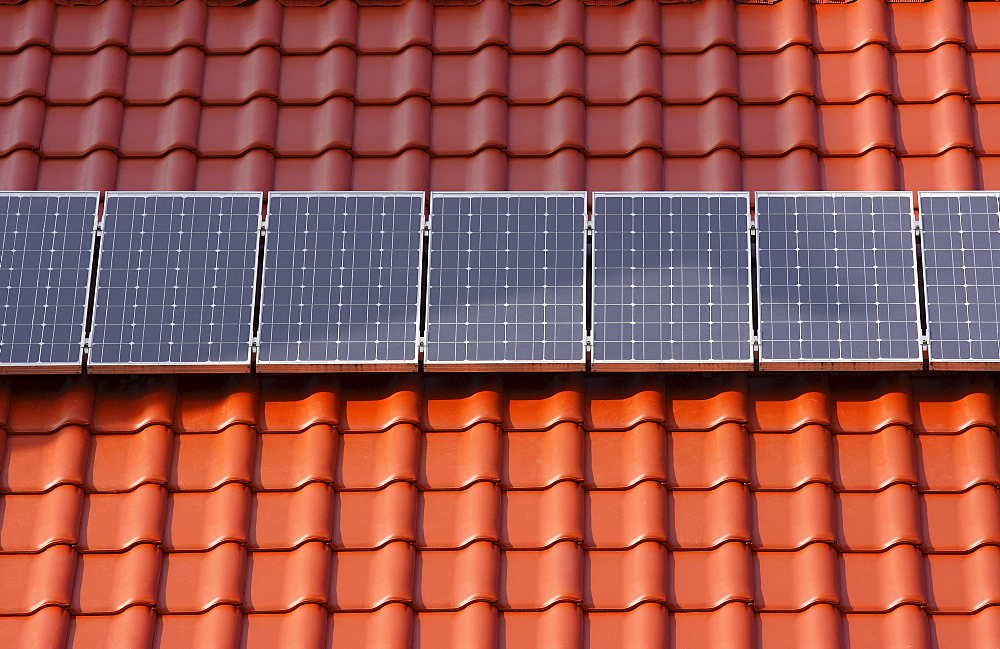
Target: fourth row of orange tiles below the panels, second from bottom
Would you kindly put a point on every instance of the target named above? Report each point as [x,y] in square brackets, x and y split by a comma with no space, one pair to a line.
[277,582]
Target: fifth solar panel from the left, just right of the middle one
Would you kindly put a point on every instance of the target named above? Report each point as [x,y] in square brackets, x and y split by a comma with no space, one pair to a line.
[671,281]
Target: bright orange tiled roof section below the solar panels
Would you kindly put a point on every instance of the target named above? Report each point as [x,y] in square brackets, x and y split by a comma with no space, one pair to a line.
[475,510]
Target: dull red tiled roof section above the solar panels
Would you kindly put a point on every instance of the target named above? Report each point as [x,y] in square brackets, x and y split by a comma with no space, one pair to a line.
[497,95]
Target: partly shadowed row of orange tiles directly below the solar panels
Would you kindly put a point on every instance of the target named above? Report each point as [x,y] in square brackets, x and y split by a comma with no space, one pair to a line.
[767,402]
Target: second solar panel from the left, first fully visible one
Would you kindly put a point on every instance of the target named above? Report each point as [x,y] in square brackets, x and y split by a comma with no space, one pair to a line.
[175,282]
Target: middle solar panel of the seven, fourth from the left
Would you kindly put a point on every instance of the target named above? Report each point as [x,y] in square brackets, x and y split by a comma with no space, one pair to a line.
[506,281]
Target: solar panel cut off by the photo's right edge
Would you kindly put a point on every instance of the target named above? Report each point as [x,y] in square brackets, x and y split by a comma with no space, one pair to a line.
[961,255]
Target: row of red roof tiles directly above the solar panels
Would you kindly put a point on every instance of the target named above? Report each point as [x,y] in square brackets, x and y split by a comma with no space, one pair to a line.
[492,170]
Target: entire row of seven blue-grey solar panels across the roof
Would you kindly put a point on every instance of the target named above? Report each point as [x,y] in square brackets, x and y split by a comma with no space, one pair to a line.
[505,280]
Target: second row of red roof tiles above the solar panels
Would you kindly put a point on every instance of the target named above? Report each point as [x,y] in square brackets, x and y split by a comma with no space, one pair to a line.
[446,131]
